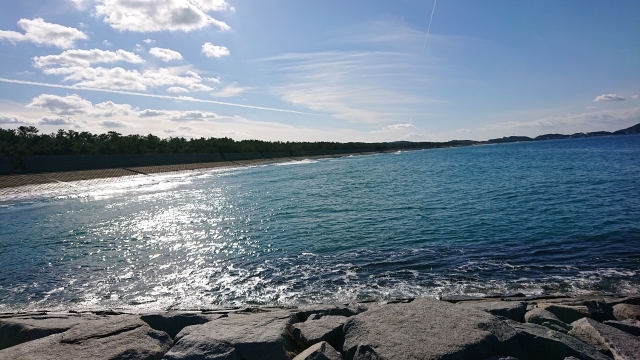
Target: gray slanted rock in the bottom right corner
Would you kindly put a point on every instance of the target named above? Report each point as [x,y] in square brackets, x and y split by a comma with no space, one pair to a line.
[607,339]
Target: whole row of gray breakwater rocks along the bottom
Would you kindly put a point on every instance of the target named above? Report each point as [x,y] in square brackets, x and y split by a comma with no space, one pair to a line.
[591,327]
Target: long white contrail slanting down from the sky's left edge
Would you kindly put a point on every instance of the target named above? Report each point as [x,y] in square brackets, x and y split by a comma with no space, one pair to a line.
[179,98]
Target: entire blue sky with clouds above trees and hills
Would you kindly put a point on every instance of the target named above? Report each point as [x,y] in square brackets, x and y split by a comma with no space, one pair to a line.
[285,70]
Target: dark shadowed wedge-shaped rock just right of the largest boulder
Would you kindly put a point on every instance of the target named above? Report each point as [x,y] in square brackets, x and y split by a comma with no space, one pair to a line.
[541,343]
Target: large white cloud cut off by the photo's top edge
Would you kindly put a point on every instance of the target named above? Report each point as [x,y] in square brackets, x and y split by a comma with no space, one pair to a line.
[163,15]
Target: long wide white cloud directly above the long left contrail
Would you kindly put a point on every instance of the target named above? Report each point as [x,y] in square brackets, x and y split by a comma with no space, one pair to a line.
[119,78]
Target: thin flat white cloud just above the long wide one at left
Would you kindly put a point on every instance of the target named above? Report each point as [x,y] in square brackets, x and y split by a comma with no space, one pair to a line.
[86,58]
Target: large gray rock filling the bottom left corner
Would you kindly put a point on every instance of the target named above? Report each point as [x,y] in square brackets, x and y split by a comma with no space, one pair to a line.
[118,337]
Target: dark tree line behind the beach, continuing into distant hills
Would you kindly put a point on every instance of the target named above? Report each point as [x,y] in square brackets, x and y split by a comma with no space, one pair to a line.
[26,141]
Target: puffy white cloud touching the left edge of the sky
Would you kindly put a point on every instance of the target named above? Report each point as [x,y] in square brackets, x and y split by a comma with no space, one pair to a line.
[41,32]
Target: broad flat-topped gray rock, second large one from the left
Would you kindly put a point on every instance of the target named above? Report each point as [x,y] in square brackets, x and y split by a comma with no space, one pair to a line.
[247,336]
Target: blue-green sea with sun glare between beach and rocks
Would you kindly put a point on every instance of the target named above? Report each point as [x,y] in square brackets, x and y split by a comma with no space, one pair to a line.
[558,216]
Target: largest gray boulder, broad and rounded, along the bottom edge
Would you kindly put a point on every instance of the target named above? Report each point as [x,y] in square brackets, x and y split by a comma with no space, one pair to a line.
[427,329]
